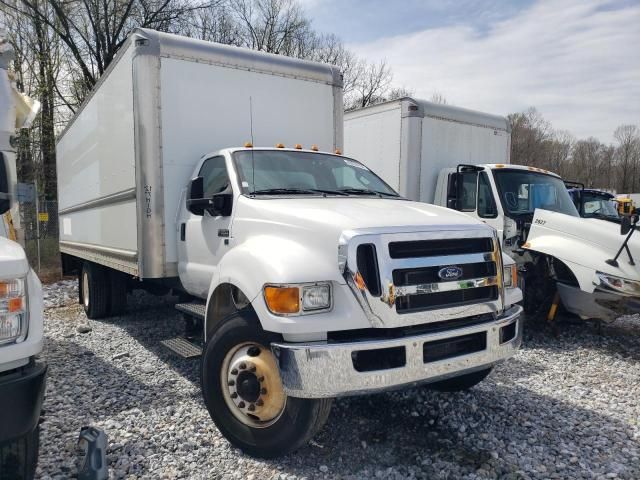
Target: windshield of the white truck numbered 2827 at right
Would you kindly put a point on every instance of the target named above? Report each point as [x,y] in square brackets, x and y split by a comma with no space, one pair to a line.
[522,191]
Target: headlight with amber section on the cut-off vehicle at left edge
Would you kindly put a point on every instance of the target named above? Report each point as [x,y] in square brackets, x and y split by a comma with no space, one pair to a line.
[13,310]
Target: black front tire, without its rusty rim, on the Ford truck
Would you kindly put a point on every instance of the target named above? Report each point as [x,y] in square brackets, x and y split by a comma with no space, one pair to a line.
[300,419]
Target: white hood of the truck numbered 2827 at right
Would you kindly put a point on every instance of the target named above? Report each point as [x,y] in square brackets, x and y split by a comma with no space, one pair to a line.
[586,242]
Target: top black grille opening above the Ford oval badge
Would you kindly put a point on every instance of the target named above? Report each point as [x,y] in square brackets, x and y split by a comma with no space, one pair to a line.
[440,247]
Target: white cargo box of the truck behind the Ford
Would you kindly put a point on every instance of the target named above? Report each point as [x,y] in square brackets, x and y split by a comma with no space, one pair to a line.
[407,142]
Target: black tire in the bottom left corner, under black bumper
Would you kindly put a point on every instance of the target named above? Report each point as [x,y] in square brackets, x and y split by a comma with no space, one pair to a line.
[19,458]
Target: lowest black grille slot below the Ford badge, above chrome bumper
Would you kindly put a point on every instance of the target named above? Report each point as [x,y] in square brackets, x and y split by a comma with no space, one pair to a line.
[454,298]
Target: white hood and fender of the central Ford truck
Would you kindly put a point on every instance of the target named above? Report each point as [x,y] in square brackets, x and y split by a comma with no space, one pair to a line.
[295,240]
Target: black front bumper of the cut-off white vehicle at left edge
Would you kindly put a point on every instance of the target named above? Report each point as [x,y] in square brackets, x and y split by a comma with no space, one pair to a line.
[21,396]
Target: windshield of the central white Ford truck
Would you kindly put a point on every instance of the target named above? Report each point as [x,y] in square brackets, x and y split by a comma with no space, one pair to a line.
[273,172]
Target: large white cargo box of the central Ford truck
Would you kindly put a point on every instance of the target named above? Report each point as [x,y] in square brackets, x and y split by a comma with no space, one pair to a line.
[127,156]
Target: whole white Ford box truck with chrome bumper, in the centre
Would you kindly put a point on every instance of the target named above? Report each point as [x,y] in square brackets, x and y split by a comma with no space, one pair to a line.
[310,277]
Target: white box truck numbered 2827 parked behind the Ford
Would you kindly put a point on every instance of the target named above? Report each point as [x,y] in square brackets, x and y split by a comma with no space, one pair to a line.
[460,158]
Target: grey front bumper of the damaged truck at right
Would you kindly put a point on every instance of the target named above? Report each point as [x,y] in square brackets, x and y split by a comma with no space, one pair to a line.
[600,304]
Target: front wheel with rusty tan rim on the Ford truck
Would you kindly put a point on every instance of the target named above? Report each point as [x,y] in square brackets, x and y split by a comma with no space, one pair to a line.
[244,395]
